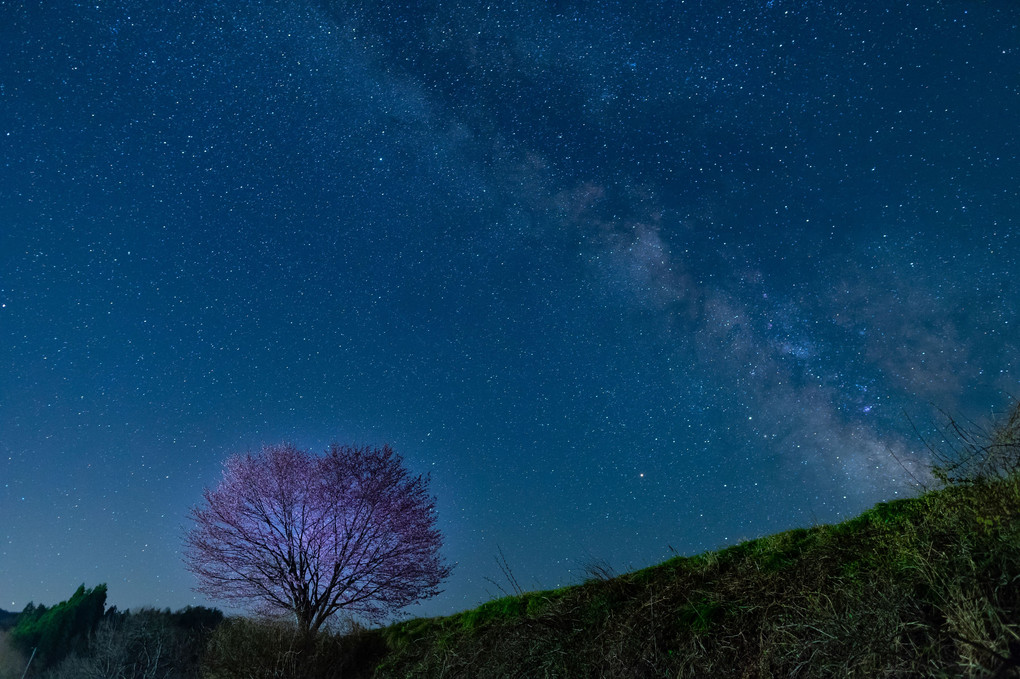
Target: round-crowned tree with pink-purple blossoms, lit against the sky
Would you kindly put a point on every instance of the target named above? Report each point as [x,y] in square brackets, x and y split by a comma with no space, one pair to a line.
[291,532]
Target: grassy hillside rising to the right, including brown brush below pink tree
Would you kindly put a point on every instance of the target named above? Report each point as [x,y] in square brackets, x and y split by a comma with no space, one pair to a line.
[927,587]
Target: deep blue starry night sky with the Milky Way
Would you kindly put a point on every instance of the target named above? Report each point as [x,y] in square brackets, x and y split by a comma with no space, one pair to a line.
[625,279]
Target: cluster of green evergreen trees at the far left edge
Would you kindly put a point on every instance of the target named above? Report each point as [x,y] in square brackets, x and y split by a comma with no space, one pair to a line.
[63,629]
